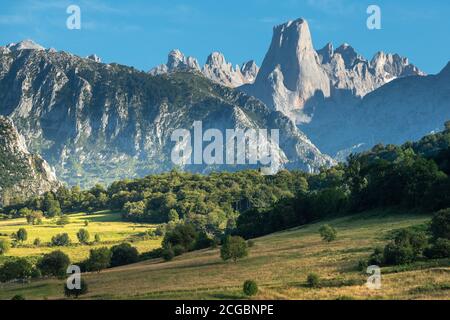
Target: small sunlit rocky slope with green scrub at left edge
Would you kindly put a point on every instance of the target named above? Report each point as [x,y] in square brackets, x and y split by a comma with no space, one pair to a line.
[22,174]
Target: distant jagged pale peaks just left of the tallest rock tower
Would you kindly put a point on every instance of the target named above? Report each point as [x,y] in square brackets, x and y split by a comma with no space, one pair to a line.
[216,69]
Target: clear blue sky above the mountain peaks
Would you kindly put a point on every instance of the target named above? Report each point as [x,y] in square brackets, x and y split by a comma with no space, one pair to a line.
[141,32]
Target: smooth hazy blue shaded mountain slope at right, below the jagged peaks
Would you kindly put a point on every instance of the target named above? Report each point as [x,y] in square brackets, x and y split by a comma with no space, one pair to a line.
[404,109]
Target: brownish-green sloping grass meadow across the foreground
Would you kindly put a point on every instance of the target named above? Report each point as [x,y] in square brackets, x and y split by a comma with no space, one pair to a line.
[279,263]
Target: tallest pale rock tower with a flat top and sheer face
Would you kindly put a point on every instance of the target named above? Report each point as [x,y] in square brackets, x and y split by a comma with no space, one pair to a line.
[291,73]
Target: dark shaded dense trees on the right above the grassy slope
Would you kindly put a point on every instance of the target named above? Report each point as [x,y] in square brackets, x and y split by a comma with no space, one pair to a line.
[414,175]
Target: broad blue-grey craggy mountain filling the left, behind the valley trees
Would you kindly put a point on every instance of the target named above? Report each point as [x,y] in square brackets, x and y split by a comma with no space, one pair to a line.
[98,122]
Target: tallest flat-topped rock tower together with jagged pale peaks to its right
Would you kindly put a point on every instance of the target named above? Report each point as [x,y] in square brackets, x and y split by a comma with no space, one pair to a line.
[295,78]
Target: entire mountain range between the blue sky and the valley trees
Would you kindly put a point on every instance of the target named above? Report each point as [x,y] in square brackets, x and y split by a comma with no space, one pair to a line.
[97,122]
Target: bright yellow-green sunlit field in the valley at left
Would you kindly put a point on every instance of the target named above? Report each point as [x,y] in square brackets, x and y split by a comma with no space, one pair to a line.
[109,226]
